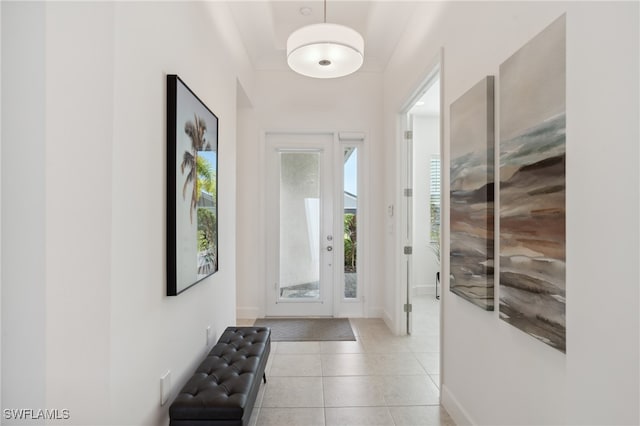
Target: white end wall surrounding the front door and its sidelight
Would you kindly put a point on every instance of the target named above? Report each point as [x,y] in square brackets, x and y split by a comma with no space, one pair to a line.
[285,101]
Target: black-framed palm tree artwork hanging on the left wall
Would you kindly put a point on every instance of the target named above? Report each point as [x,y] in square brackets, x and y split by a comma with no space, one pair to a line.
[192,202]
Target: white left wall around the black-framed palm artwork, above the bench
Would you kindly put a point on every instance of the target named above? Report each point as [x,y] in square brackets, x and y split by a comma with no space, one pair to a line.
[86,324]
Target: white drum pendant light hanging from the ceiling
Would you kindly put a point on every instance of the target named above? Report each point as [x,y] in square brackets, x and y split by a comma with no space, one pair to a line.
[325,50]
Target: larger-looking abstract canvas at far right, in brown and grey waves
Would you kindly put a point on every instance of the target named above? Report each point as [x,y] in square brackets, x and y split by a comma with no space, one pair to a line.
[532,187]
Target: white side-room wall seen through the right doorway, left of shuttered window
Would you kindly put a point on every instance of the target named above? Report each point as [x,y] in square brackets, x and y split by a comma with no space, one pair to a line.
[426,144]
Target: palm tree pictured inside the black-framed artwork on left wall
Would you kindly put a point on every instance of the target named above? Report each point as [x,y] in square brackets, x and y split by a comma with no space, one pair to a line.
[195,130]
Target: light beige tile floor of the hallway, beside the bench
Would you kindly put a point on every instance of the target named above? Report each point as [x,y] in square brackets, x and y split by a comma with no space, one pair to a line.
[380,379]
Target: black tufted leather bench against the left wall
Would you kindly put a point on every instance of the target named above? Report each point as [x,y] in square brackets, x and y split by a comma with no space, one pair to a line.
[224,387]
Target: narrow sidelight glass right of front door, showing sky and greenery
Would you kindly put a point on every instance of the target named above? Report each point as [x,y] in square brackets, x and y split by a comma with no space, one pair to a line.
[350,220]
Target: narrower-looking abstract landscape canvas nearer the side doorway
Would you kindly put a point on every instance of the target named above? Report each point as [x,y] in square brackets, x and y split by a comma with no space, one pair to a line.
[472,195]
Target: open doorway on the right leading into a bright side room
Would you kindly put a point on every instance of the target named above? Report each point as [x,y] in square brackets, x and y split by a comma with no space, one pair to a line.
[421,171]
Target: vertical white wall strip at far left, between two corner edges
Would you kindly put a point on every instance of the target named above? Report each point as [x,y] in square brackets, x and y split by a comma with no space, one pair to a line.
[78,112]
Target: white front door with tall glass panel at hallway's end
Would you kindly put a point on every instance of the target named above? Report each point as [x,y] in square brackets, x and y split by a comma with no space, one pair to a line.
[300,226]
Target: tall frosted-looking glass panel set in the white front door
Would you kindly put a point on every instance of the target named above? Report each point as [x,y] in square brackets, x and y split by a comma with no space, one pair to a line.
[299,225]
